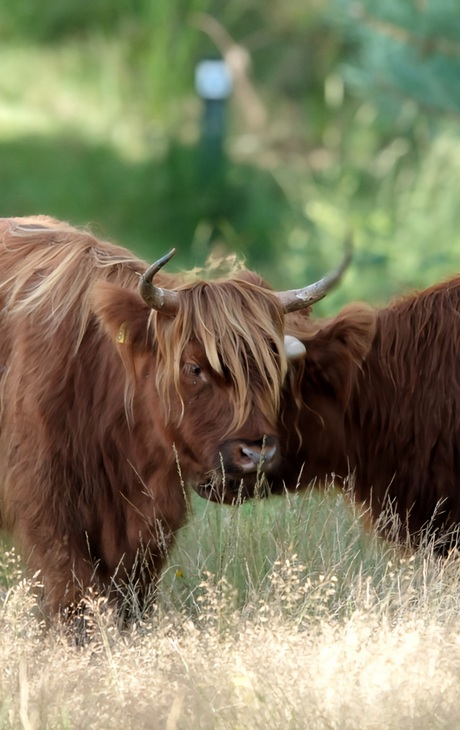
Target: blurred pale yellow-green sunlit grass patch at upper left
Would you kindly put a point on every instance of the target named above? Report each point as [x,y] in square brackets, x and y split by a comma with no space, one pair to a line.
[76,89]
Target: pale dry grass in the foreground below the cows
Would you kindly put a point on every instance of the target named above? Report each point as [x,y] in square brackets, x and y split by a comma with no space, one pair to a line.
[350,634]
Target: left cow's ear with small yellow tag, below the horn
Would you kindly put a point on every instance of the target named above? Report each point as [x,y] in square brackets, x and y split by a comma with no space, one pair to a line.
[122,313]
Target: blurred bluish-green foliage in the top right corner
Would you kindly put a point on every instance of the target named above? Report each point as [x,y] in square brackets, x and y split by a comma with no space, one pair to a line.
[406,50]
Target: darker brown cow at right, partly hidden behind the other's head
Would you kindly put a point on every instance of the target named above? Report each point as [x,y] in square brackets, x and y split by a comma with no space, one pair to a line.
[383,408]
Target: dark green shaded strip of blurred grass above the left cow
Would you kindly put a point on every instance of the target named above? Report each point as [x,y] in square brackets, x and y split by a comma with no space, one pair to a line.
[159,205]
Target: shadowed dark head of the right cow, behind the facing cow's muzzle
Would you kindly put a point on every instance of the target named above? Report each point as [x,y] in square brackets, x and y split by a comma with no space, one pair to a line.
[314,439]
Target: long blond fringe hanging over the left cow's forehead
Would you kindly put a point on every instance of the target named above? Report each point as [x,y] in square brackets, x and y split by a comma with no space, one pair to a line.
[234,323]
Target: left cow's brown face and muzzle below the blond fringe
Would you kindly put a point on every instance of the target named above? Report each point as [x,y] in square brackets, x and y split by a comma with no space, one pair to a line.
[202,422]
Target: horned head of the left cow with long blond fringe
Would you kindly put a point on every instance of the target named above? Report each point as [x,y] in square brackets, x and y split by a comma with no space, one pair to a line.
[206,362]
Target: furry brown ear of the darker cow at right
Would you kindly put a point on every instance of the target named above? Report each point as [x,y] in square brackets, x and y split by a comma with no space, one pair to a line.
[337,350]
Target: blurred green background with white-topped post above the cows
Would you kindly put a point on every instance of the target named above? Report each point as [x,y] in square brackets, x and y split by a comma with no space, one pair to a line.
[267,129]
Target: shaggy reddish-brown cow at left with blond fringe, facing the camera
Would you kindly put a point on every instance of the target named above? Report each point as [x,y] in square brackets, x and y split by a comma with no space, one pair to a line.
[109,385]
